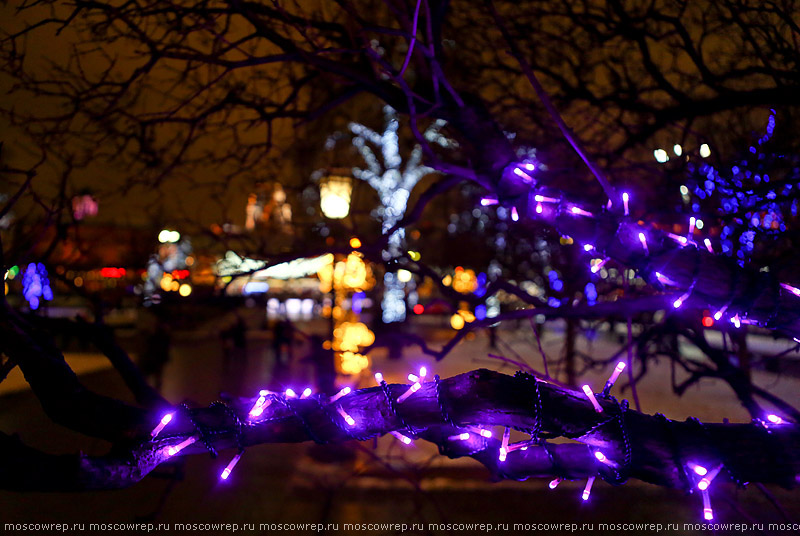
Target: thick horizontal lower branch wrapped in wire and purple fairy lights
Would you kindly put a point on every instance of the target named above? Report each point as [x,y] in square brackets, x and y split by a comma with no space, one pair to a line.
[649,448]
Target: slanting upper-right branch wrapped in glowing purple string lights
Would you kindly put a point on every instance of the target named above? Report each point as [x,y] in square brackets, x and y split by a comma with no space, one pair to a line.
[742,294]
